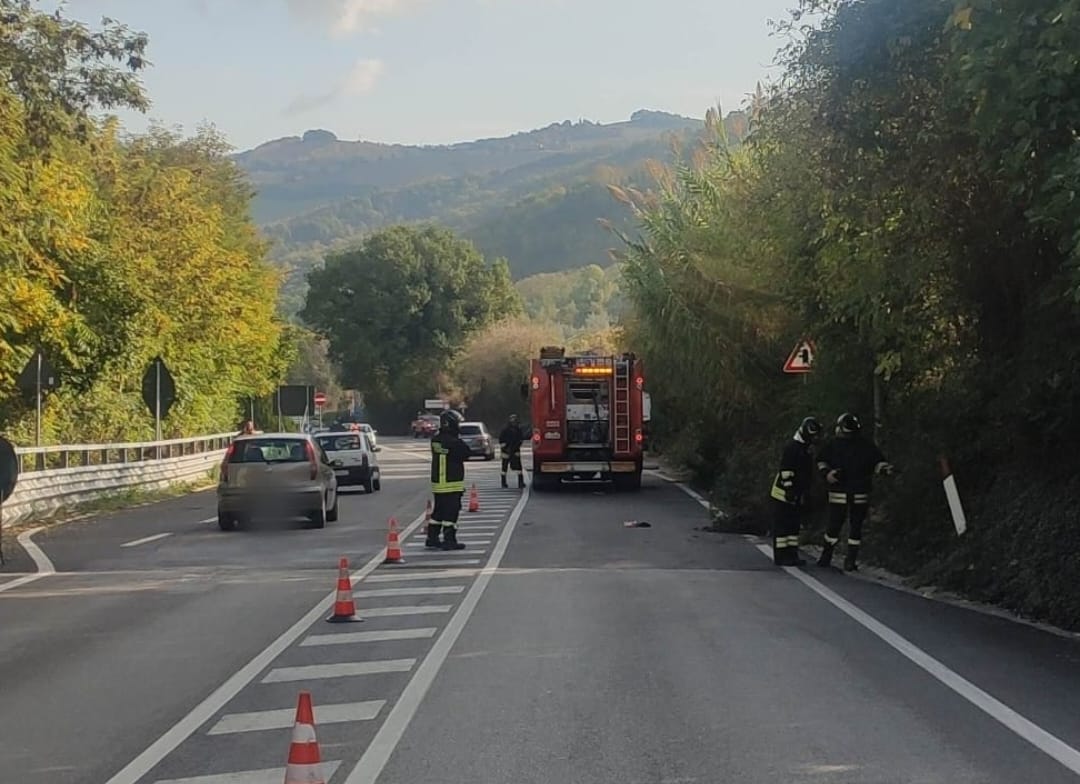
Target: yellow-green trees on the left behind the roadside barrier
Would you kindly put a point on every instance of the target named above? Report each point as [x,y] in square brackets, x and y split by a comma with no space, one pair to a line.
[114,251]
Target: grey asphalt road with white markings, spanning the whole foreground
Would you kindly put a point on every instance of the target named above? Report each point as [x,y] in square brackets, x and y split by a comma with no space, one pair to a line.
[561,646]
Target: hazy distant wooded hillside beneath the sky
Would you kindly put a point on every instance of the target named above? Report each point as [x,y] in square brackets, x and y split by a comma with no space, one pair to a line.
[535,197]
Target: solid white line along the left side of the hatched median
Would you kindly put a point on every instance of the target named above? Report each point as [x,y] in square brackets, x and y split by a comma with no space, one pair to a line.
[206,711]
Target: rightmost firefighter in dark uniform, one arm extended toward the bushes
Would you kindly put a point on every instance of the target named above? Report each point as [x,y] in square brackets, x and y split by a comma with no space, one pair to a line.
[849,464]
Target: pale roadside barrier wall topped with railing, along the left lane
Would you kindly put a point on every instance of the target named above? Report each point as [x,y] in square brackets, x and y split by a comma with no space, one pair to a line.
[53,478]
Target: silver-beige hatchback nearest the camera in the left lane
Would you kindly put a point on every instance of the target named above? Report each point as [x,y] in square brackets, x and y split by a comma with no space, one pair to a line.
[275,475]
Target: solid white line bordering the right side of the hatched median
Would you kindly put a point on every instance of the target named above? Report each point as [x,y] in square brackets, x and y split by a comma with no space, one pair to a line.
[386,740]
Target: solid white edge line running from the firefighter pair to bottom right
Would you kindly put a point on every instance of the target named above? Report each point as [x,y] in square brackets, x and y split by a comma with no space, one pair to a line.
[1051,746]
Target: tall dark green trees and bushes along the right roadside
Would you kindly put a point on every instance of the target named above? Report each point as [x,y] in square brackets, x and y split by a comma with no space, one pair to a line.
[907,198]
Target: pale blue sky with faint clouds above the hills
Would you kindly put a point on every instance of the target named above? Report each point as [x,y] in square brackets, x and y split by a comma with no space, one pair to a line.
[438,72]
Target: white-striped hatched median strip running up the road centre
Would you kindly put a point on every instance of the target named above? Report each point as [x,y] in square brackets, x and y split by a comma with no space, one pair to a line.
[355,672]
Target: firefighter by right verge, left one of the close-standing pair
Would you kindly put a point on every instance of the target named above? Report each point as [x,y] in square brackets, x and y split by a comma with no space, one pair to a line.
[791,491]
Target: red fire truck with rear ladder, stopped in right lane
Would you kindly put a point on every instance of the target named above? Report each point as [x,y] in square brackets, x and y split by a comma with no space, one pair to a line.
[588,418]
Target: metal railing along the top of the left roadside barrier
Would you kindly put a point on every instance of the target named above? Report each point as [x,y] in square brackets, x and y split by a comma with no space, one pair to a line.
[46,458]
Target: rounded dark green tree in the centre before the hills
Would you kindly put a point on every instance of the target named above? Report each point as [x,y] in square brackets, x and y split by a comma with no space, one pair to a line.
[398,308]
